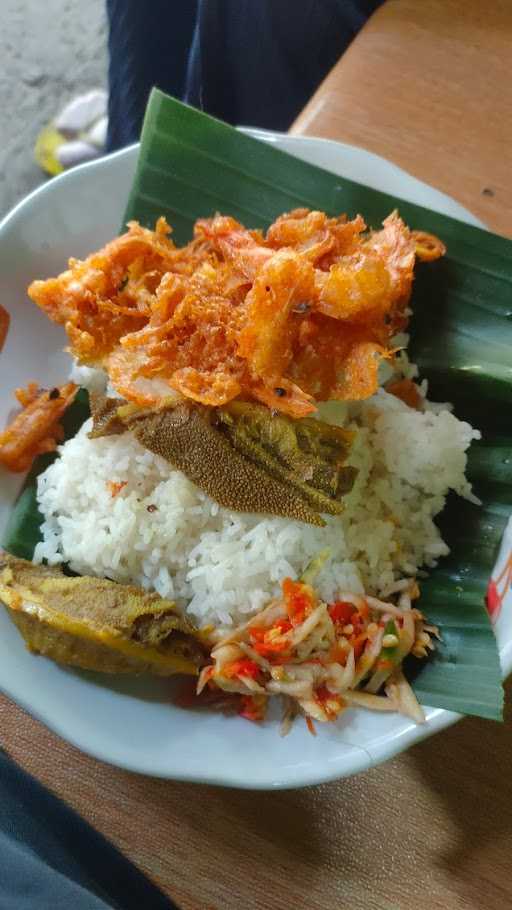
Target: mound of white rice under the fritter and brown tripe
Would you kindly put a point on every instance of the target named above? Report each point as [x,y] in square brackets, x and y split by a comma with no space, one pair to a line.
[220,565]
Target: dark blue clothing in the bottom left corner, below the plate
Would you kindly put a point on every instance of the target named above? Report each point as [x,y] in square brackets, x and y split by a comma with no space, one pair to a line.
[50,859]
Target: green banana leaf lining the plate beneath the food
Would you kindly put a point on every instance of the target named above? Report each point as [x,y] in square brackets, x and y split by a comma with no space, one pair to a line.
[191,165]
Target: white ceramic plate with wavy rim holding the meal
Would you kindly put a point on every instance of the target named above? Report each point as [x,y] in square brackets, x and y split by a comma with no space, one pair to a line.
[132,722]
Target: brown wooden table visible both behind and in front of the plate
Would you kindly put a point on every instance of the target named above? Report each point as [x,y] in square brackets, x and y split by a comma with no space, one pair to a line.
[426,84]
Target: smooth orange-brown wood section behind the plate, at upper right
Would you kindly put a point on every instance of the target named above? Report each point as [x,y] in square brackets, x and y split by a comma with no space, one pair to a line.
[427,85]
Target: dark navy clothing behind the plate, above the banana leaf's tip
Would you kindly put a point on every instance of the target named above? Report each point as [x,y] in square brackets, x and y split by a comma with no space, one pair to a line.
[252,62]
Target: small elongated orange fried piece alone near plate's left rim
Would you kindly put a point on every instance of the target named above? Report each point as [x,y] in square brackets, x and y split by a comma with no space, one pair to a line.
[36,429]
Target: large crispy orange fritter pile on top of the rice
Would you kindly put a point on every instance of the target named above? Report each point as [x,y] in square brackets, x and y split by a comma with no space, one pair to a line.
[300,314]
